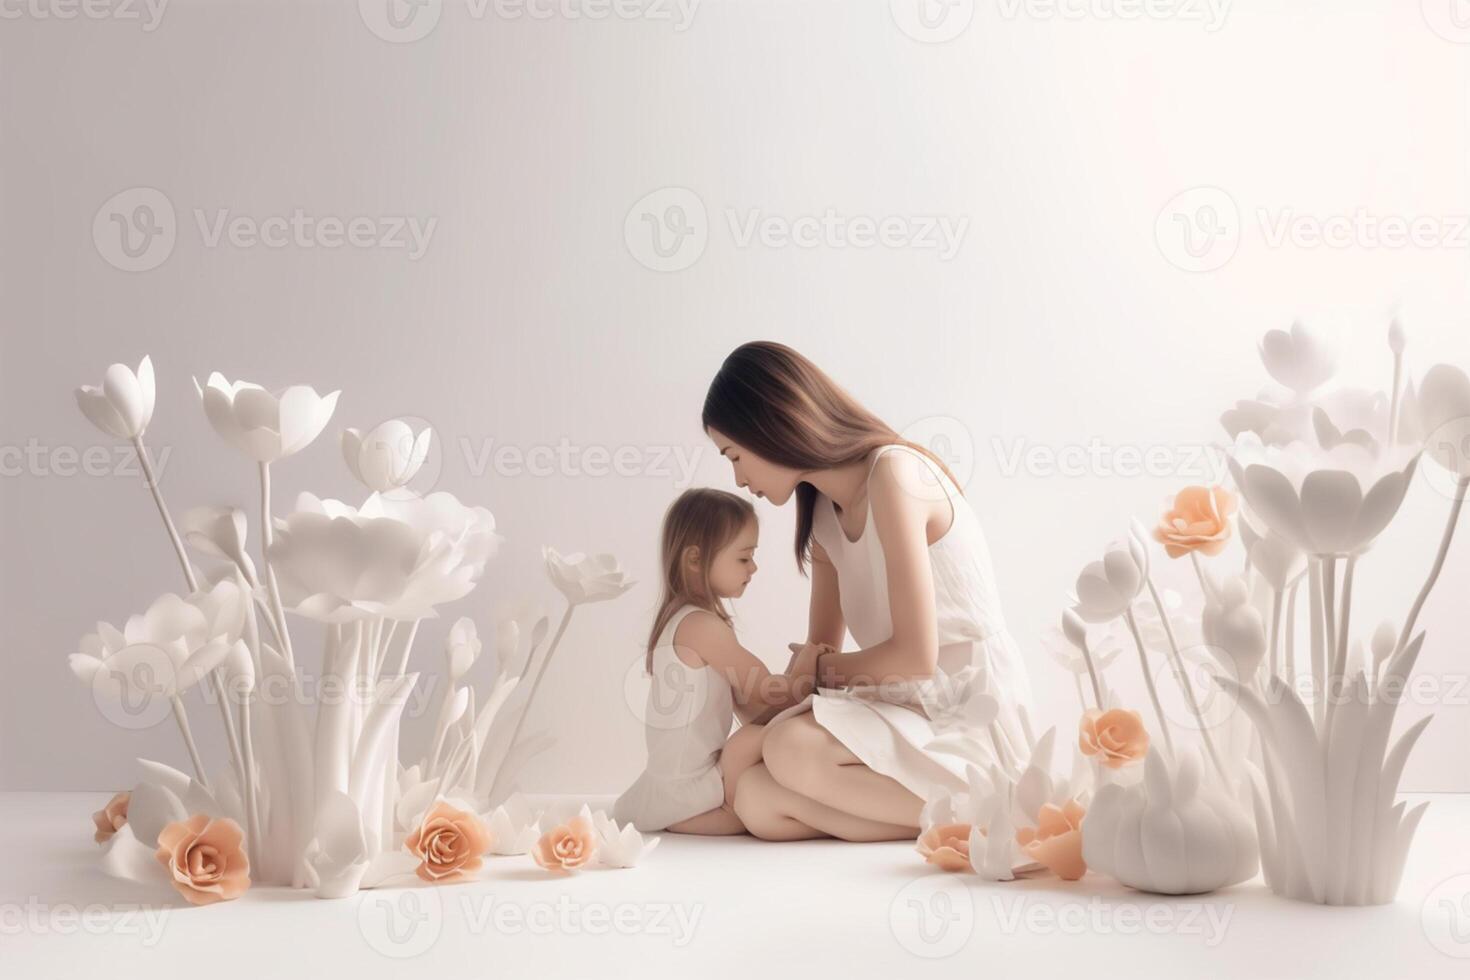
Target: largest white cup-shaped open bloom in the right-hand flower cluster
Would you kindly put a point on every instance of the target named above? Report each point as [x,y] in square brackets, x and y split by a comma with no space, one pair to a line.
[1322,502]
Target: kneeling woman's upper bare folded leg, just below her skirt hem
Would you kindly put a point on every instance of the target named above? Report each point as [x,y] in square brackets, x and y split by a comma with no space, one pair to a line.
[808,760]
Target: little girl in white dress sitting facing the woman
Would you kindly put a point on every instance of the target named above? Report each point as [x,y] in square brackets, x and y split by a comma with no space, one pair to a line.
[702,677]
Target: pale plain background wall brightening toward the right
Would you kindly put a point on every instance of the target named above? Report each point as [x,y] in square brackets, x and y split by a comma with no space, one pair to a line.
[1062,321]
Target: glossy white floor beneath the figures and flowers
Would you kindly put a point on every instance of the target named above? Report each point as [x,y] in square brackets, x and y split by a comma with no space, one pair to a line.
[715,909]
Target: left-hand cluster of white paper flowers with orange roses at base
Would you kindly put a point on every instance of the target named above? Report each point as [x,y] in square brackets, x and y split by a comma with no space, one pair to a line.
[317,801]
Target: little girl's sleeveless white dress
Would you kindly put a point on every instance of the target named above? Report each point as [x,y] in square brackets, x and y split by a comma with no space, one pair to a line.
[687,721]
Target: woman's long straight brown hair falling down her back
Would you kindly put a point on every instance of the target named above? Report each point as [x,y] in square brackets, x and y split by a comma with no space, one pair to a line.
[783,408]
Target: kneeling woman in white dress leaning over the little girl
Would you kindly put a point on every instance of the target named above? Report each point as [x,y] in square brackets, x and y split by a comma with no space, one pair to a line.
[899,561]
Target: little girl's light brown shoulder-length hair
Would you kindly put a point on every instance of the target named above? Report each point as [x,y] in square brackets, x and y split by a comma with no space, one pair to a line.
[705,519]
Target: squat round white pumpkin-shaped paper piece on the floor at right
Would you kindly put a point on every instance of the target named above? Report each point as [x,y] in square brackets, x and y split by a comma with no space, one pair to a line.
[1171,834]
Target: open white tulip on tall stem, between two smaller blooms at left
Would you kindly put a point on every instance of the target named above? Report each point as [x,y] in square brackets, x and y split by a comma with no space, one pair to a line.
[265,425]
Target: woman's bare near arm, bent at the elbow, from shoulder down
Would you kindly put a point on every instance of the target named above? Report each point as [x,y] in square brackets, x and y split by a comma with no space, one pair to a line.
[902,521]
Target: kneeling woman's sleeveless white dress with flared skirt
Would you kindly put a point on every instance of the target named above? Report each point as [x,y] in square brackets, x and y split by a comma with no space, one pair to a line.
[925,734]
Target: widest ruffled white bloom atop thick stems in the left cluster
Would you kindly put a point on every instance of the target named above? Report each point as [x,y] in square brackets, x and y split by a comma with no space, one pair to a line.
[398,559]
